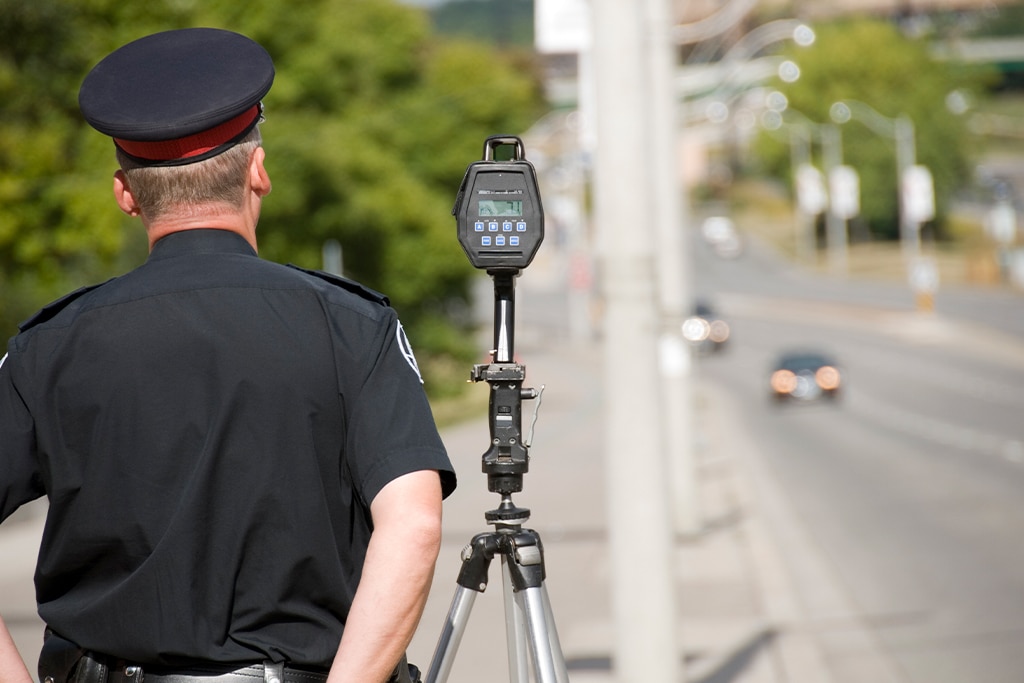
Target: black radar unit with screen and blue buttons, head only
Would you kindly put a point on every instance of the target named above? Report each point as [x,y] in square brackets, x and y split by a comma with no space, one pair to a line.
[498,209]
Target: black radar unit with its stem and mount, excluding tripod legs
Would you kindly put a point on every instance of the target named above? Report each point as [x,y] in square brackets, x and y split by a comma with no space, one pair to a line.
[500,221]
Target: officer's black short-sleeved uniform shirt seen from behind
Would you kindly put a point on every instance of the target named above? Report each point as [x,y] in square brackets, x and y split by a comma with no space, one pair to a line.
[210,430]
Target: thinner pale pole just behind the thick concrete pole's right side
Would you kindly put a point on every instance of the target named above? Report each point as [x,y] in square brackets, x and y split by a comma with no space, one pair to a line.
[675,296]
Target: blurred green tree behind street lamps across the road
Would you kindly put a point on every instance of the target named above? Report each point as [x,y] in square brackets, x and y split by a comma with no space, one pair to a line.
[872,63]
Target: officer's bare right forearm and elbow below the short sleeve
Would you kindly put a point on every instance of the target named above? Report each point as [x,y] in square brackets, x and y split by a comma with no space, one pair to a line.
[397,576]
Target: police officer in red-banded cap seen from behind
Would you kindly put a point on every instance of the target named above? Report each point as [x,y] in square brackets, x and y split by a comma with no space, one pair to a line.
[243,473]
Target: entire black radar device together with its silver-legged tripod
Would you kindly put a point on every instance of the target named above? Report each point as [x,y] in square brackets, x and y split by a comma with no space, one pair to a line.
[501,226]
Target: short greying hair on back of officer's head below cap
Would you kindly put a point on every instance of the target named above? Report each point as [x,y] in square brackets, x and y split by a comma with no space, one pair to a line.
[221,180]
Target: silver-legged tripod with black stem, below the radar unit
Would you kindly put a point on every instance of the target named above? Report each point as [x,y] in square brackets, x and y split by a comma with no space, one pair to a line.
[530,624]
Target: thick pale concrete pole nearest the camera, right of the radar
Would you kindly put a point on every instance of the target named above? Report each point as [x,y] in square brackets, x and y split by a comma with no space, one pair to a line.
[641,535]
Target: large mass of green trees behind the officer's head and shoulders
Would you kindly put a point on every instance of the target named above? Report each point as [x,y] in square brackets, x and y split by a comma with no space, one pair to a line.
[371,124]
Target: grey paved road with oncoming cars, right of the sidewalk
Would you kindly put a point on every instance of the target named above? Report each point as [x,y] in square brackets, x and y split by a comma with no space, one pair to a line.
[913,487]
